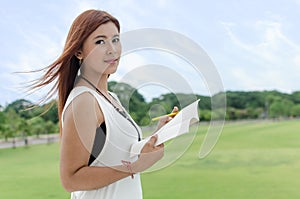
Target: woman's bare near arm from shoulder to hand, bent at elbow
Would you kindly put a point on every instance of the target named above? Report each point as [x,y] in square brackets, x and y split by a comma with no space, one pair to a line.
[81,119]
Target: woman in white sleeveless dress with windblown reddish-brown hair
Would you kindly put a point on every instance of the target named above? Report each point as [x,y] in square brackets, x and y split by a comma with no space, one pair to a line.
[96,131]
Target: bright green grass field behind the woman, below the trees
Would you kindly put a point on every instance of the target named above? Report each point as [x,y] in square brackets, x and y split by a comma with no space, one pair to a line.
[251,160]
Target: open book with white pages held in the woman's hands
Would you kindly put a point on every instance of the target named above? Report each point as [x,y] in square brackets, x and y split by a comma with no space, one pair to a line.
[177,126]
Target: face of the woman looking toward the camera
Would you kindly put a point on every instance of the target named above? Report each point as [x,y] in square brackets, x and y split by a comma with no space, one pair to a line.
[102,50]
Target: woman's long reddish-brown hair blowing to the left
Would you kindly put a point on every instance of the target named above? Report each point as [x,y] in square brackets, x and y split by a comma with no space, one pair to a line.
[64,70]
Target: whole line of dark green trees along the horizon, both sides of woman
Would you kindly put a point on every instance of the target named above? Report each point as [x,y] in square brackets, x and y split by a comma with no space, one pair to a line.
[23,118]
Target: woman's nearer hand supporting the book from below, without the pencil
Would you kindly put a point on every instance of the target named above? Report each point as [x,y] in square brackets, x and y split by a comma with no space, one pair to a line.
[150,154]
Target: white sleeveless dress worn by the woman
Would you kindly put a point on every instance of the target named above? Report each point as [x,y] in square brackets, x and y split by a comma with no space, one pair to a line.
[120,135]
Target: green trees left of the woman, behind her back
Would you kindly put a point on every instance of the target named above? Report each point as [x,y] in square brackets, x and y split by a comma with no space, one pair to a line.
[22,118]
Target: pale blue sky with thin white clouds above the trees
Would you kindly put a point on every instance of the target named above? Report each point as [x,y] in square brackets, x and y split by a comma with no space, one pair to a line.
[255,45]
